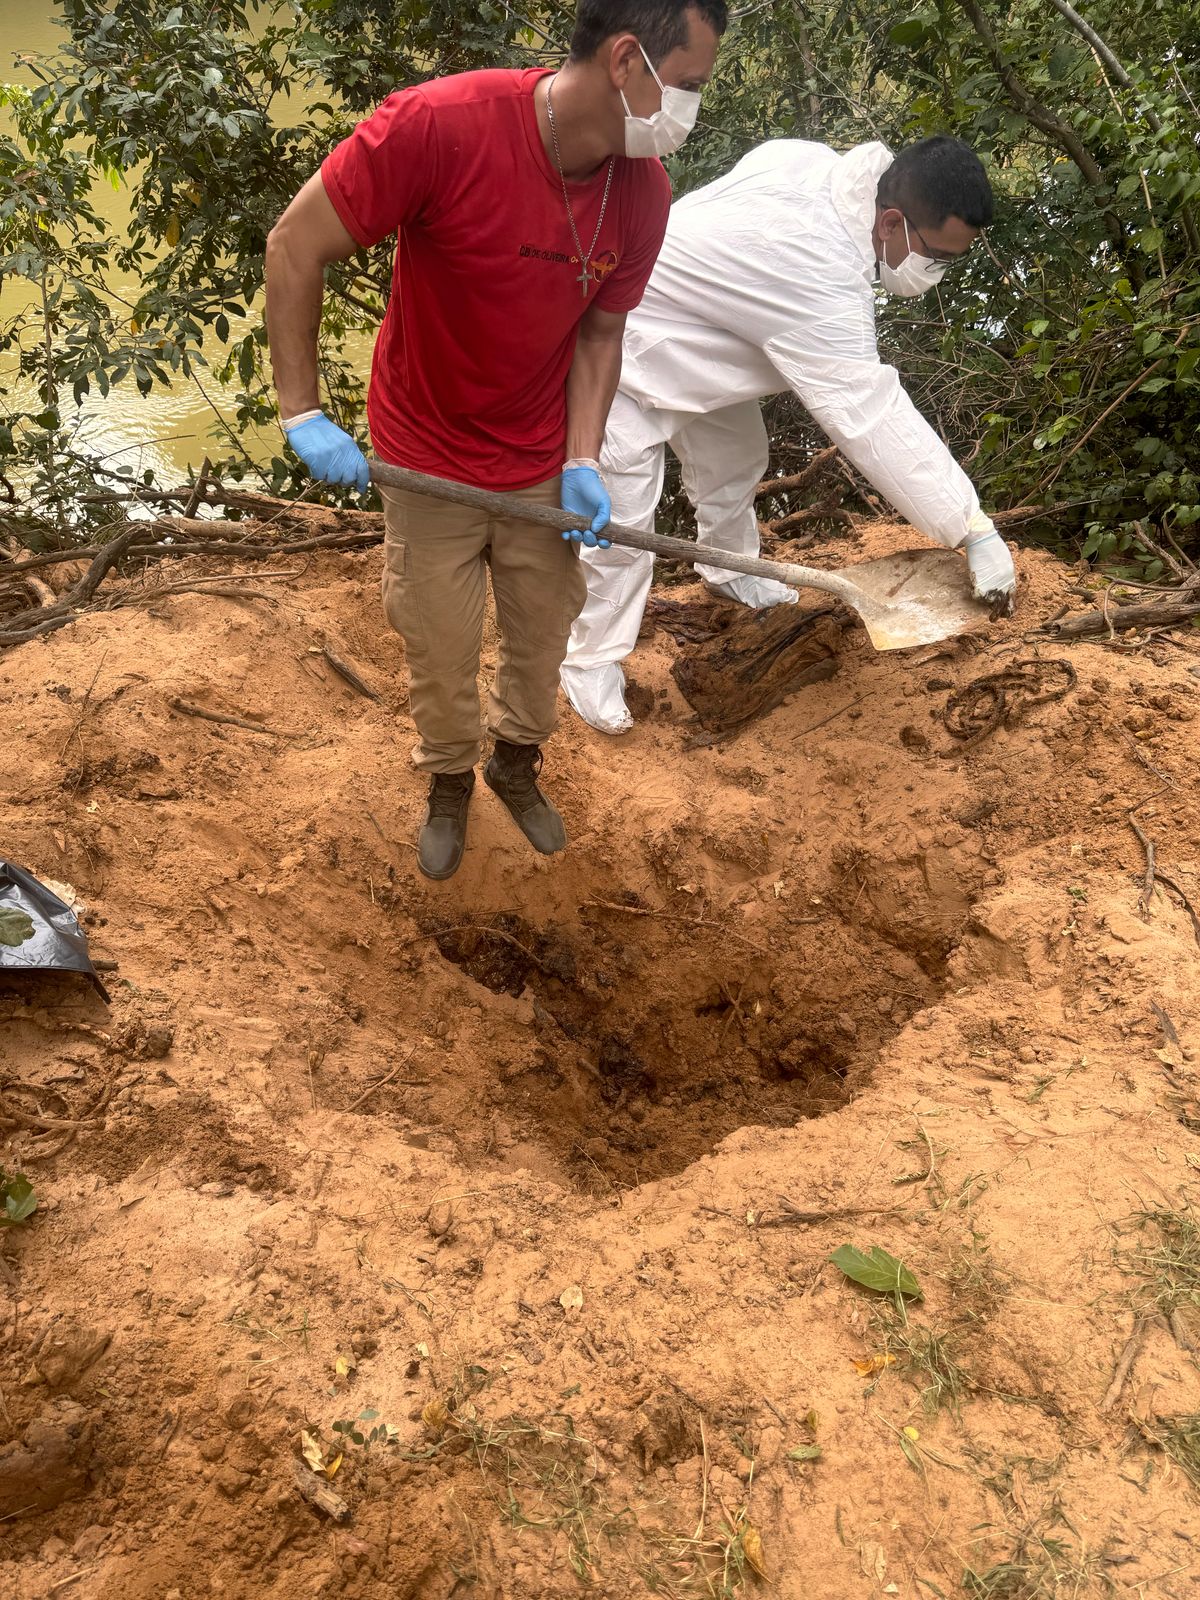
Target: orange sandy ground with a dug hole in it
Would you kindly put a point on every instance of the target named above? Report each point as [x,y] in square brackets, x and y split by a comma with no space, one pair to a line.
[508,1204]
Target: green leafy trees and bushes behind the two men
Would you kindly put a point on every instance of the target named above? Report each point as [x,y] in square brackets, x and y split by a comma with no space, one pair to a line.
[1060,361]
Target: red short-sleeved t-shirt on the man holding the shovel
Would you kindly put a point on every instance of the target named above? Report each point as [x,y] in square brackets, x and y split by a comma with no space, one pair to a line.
[470,374]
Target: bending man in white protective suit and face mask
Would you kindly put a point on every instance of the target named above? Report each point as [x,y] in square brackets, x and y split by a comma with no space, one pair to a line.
[767,282]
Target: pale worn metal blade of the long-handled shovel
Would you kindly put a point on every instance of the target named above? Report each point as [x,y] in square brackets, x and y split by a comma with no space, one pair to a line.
[914,598]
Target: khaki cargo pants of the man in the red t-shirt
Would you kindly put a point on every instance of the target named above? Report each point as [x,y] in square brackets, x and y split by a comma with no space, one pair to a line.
[436,566]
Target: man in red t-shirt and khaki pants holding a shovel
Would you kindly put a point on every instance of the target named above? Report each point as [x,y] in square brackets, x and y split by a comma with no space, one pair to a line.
[529,210]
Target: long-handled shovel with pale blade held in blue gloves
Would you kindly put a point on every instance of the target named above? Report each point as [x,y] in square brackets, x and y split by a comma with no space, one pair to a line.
[910,599]
